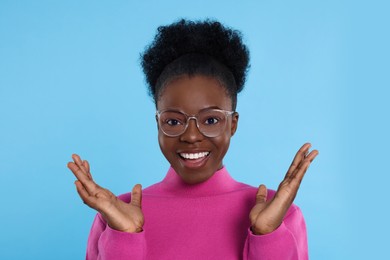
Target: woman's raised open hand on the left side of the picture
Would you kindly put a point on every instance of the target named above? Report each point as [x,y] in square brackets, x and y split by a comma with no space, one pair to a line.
[126,217]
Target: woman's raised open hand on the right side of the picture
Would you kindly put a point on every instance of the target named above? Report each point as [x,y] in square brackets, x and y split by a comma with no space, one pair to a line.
[266,216]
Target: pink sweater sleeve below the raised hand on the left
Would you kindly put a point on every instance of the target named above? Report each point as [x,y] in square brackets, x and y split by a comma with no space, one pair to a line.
[105,243]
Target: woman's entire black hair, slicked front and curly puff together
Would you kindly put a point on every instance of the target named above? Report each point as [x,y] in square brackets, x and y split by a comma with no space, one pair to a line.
[196,48]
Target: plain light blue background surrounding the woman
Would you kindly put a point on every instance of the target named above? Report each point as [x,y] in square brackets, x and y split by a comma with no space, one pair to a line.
[70,82]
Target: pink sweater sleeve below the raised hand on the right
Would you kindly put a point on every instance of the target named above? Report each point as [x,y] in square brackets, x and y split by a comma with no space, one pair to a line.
[287,242]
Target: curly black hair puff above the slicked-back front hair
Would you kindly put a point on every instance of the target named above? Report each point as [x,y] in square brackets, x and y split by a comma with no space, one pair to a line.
[204,37]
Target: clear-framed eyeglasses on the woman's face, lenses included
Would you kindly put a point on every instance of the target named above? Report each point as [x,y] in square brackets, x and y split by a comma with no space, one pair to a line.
[210,122]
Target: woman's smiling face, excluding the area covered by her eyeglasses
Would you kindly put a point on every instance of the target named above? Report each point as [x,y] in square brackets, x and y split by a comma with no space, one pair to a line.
[192,95]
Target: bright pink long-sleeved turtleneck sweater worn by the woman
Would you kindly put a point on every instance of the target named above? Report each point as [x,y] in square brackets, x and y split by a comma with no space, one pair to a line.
[209,220]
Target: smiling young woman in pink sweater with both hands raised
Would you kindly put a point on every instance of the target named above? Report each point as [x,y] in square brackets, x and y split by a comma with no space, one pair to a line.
[194,71]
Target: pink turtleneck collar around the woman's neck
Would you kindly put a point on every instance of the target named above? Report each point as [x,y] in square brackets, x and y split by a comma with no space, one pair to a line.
[221,182]
